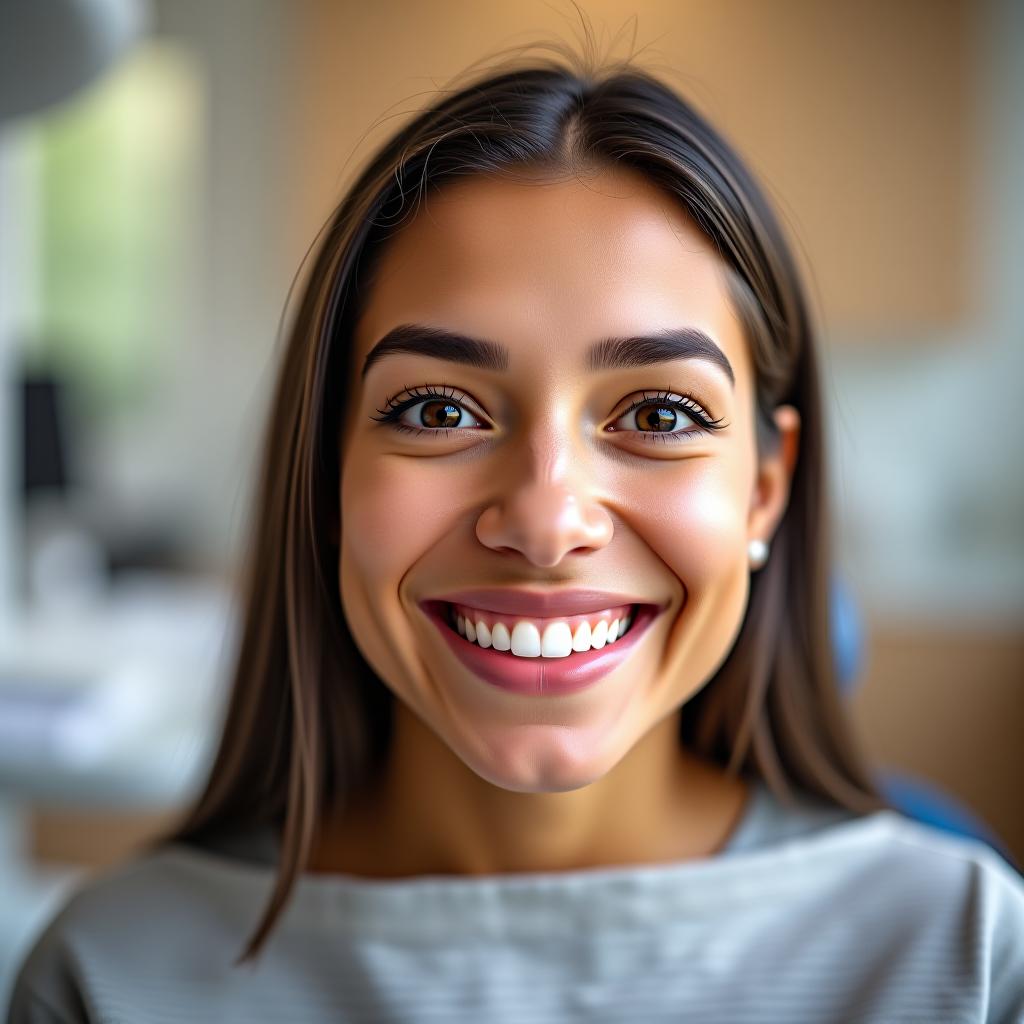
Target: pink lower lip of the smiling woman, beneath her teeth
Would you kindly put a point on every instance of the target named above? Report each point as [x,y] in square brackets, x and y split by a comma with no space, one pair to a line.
[542,676]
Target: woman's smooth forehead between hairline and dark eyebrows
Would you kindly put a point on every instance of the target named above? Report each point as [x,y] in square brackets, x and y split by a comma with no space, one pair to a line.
[549,268]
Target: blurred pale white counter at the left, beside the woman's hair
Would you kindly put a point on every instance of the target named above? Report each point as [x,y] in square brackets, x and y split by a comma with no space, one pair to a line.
[115,704]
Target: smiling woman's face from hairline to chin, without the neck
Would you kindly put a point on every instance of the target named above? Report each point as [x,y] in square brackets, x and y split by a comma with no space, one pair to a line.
[532,473]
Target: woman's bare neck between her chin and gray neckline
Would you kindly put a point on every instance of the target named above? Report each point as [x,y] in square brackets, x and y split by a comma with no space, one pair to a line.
[431,815]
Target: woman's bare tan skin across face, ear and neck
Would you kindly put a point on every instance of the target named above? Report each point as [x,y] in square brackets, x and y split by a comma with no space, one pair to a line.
[533,489]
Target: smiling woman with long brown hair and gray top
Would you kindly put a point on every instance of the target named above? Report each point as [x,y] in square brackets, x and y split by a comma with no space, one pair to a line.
[534,715]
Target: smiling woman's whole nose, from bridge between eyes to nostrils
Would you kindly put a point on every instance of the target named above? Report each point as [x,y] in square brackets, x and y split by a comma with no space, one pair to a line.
[545,504]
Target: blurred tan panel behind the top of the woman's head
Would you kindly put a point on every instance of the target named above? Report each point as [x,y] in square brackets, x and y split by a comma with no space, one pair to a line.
[860,118]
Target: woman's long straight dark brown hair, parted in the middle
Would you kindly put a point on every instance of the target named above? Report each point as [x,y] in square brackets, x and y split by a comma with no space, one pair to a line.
[309,723]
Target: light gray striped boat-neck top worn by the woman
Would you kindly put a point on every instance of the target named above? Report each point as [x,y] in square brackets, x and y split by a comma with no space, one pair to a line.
[809,915]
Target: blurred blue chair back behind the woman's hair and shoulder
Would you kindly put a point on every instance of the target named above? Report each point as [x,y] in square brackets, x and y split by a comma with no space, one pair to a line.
[915,797]
